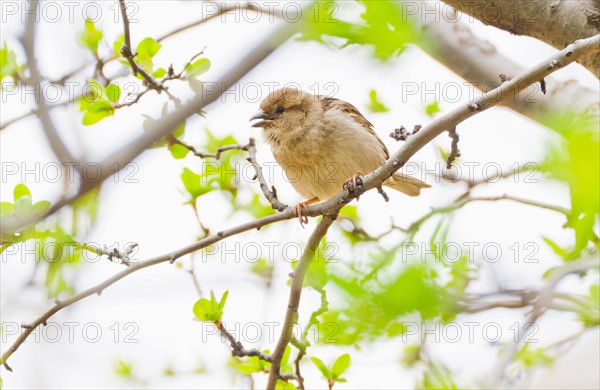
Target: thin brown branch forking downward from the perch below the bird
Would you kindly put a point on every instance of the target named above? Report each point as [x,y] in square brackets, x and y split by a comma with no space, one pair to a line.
[291,315]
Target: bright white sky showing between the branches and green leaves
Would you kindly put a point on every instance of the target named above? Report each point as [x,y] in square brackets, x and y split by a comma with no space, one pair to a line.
[151,212]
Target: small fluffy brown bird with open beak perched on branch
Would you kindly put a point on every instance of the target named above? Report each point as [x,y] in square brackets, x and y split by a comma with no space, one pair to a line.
[322,143]
